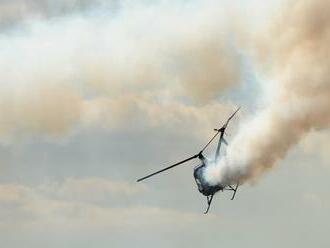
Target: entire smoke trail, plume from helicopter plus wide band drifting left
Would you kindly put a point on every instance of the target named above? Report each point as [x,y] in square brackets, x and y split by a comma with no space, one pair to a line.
[166,64]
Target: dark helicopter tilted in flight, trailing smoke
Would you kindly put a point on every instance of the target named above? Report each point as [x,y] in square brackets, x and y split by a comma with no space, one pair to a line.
[205,187]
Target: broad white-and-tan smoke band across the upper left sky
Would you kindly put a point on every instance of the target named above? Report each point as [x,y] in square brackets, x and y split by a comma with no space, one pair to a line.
[60,74]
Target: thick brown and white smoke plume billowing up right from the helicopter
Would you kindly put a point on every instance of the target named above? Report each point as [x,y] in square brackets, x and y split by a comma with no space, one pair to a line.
[298,89]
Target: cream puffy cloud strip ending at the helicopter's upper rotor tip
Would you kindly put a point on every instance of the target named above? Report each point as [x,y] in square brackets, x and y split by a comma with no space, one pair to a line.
[155,111]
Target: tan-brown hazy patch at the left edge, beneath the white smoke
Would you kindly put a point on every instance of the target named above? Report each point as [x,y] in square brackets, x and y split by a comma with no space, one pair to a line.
[44,110]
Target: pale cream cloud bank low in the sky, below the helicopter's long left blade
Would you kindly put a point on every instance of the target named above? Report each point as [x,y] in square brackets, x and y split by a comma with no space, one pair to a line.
[80,204]
